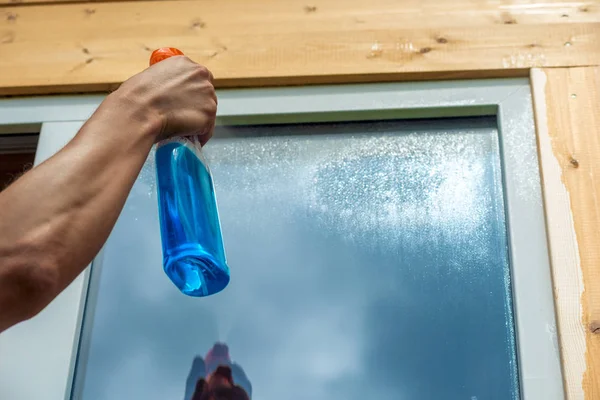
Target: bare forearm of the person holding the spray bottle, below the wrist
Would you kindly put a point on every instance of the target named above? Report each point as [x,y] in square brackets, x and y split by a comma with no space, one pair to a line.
[56,217]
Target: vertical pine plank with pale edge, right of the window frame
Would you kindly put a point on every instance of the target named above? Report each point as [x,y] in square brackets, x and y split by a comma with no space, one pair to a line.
[567,106]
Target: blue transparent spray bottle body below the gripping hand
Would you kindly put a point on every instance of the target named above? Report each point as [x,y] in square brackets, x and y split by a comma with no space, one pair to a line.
[193,253]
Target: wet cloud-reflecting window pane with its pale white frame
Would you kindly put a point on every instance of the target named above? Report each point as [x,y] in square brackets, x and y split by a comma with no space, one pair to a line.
[378,236]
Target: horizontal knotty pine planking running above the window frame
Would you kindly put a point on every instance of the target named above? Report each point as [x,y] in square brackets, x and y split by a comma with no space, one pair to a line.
[94,48]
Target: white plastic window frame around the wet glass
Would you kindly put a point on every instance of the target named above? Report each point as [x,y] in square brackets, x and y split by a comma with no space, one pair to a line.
[38,357]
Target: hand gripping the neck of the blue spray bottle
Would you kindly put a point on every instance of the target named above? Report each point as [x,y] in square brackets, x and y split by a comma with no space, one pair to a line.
[179,93]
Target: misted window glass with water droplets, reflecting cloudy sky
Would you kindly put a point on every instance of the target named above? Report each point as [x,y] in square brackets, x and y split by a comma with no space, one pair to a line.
[368,261]
